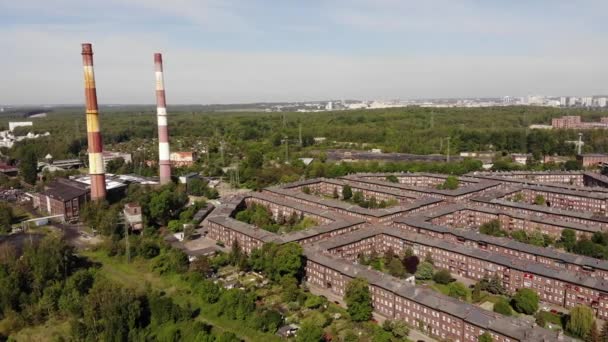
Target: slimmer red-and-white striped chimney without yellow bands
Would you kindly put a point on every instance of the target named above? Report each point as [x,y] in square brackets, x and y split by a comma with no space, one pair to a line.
[161,114]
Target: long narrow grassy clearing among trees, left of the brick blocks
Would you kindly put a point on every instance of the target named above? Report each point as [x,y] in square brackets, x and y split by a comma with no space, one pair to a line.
[138,275]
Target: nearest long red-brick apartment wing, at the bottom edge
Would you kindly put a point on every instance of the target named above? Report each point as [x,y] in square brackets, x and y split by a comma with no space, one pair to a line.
[437,315]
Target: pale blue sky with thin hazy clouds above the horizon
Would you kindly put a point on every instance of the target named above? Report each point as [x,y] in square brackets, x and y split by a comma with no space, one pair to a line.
[227,51]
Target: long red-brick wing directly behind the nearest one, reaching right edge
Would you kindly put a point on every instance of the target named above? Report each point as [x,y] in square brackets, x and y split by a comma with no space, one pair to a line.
[554,285]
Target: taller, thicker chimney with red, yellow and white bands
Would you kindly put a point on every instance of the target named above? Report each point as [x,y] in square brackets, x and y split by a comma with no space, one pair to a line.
[96,167]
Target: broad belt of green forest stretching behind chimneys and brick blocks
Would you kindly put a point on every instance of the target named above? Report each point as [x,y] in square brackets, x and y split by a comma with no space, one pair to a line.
[259,143]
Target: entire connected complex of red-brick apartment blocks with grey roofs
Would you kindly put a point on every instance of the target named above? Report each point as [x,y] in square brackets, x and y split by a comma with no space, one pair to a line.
[442,223]
